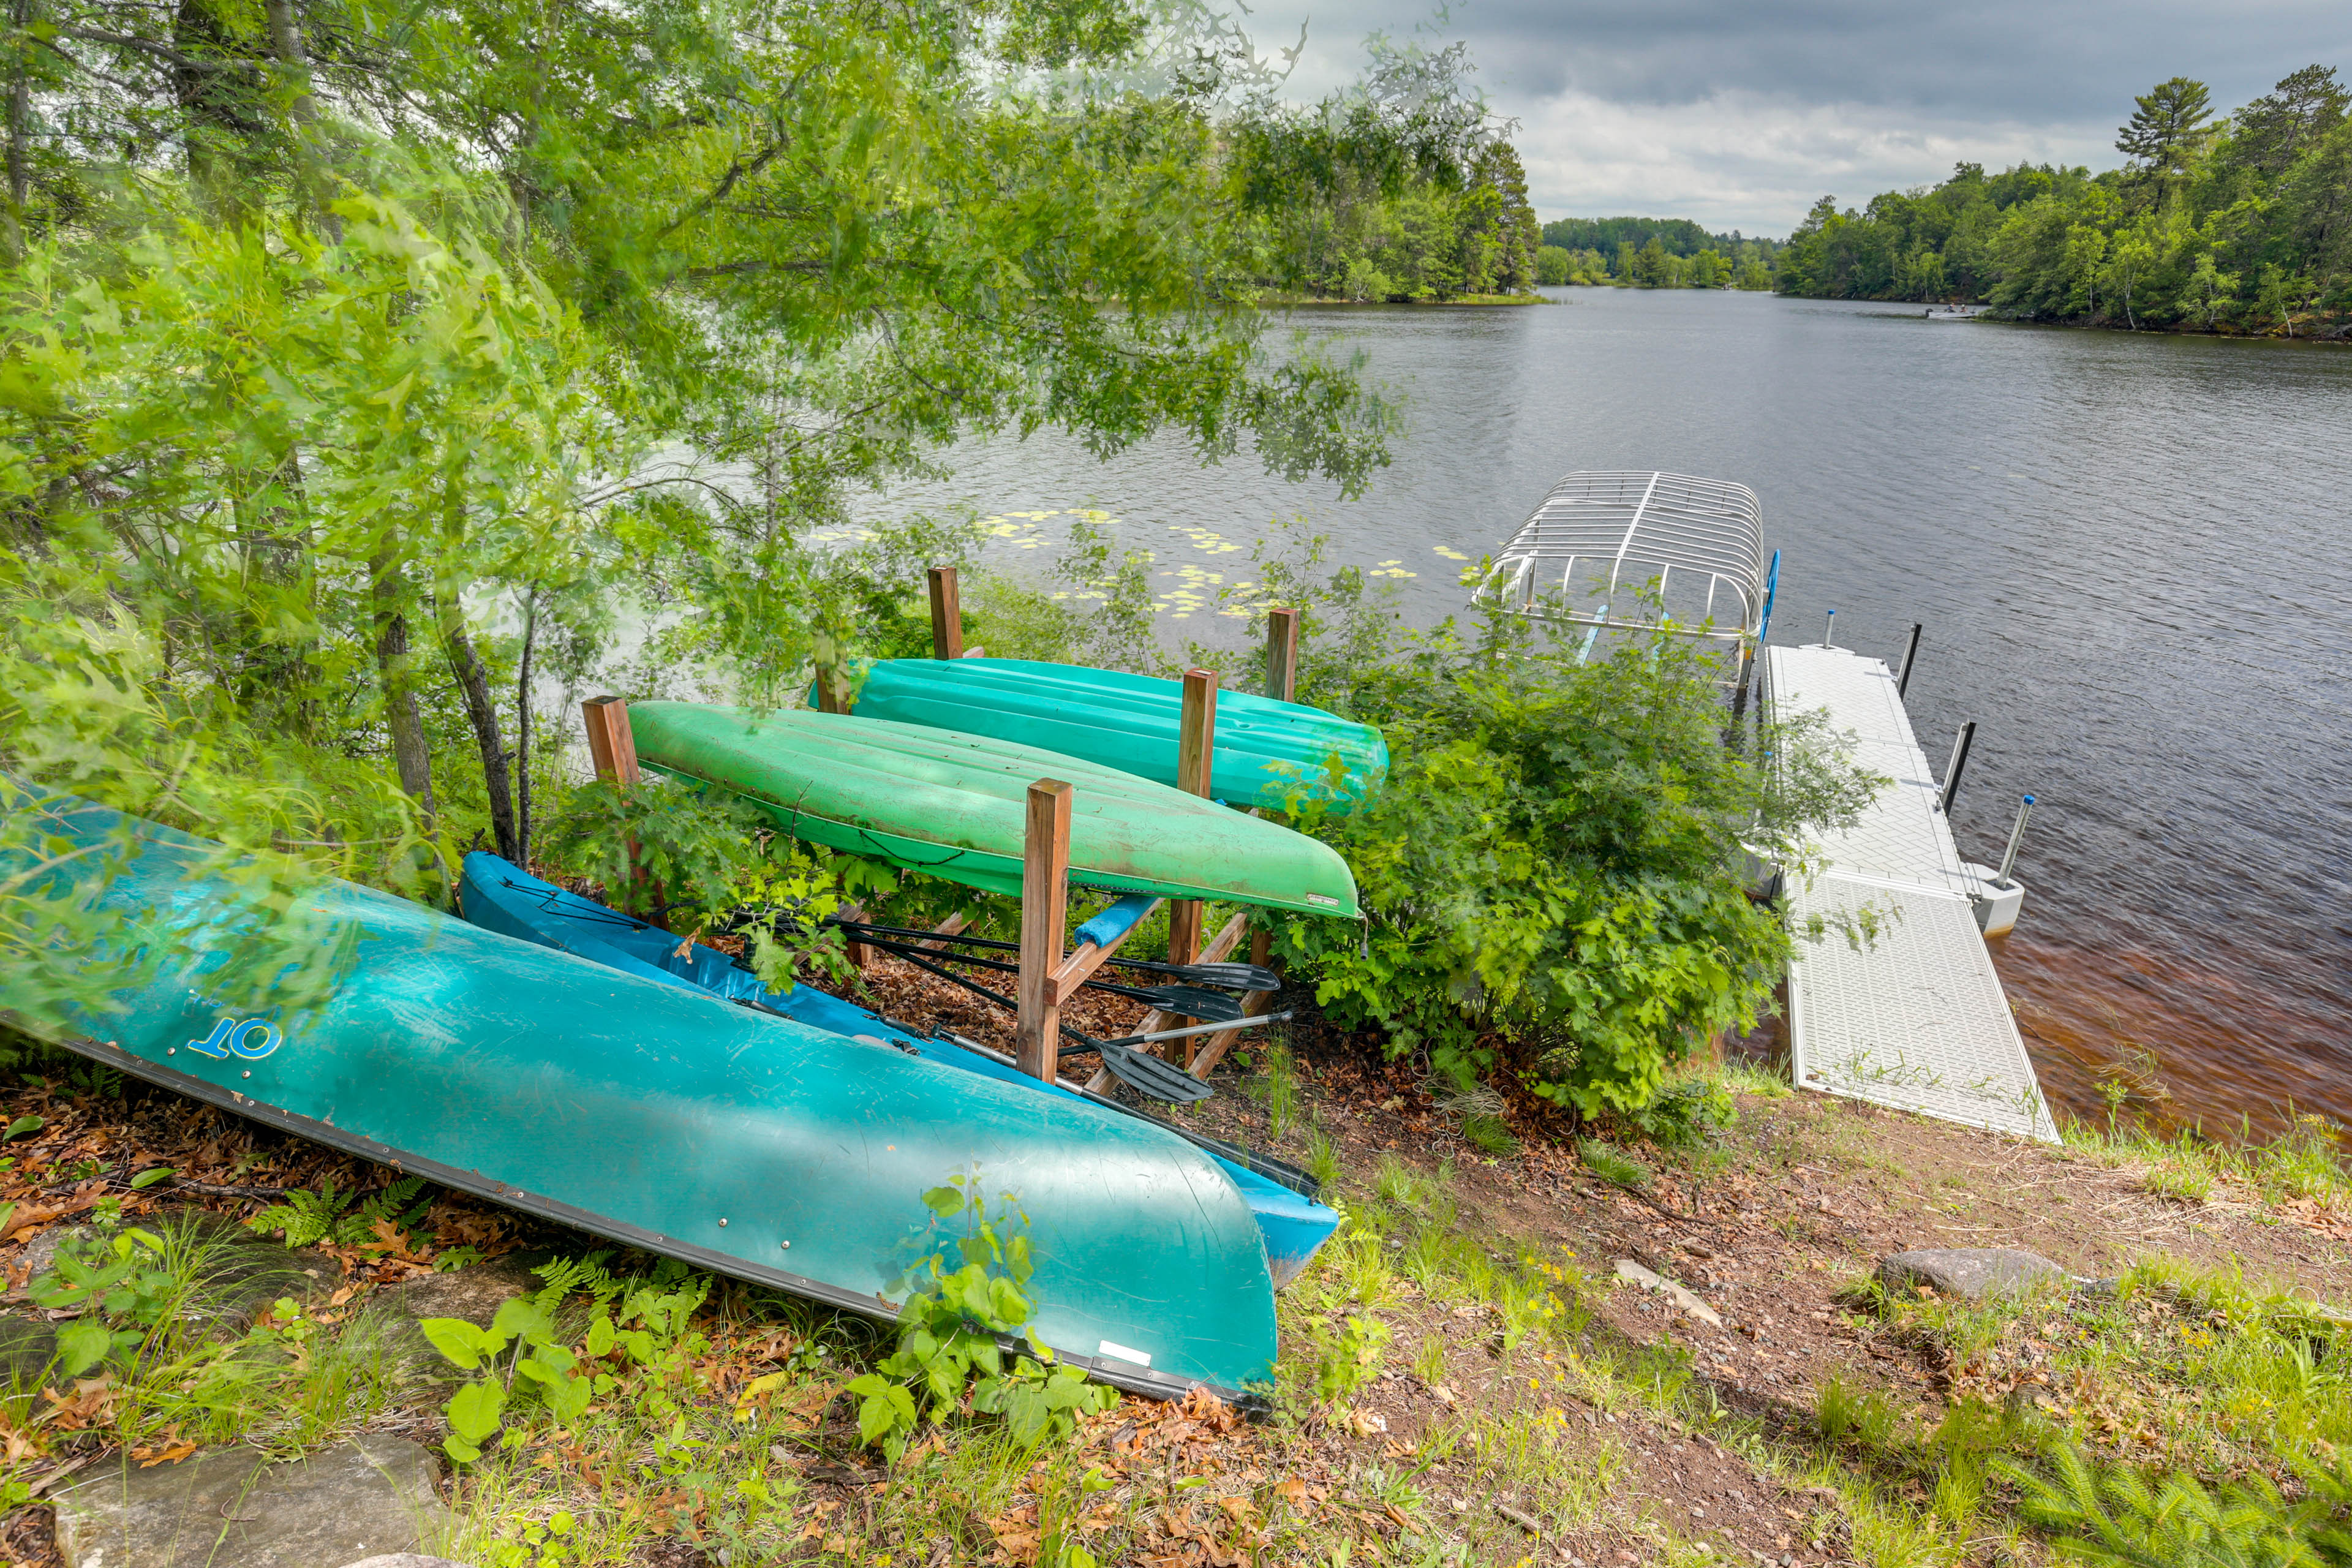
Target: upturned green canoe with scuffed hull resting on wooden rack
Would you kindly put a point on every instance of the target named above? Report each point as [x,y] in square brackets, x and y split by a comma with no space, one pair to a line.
[954,805]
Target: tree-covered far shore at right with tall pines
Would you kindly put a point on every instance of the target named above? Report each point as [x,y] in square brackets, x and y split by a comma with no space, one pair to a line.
[2238,225]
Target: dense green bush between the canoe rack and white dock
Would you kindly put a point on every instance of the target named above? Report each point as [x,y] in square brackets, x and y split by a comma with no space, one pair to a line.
[1549,866]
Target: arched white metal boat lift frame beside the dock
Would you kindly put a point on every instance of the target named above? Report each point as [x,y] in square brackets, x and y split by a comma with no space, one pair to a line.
[1633,542]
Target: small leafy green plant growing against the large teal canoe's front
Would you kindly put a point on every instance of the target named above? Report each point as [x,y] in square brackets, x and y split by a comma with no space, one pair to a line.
[951,1332]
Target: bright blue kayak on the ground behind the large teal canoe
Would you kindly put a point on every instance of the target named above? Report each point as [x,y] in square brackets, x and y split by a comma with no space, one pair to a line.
[512,902]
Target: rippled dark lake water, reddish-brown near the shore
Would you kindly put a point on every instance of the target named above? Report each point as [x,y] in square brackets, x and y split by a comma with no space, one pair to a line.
[2132,556]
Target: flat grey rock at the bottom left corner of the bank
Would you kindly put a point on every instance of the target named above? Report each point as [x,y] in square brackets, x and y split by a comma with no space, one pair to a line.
[232,1508]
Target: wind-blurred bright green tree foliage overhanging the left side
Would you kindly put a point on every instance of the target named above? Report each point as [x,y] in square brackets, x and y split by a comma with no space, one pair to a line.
[345,384]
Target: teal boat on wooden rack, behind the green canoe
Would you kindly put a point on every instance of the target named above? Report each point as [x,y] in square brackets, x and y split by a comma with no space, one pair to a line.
[1267,753]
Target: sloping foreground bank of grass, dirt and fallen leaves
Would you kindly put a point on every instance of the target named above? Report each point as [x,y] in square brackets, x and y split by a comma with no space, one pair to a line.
[1464,1379]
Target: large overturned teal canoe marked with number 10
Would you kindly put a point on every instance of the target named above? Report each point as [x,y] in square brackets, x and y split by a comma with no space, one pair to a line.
[667,1118]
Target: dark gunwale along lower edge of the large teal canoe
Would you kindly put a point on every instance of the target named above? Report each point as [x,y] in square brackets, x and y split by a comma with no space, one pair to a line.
[1116,1374]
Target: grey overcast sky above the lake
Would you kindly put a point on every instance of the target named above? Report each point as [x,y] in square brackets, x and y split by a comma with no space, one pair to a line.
[1742,114]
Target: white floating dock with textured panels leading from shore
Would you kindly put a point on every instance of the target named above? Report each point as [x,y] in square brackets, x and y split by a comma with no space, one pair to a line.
[1916,1017]
